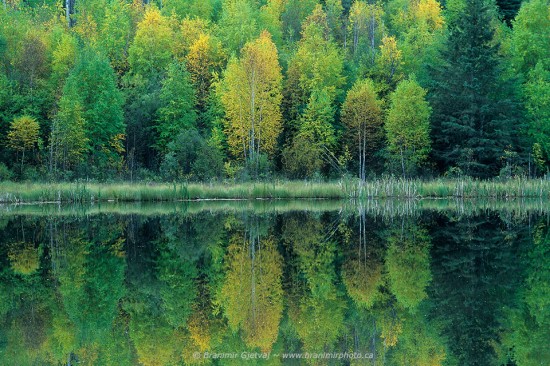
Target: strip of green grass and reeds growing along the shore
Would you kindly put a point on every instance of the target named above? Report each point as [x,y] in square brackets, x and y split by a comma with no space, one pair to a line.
[11,192]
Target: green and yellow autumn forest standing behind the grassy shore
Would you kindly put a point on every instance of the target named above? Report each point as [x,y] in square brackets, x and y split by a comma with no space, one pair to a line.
[202,90]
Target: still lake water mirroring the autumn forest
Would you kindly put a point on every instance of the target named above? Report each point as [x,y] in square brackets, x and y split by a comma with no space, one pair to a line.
[336,283]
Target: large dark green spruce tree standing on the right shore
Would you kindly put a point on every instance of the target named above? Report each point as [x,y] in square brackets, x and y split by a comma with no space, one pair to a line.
[476,114]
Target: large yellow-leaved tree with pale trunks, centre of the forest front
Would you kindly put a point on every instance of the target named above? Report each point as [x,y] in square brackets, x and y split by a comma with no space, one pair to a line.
[251,95]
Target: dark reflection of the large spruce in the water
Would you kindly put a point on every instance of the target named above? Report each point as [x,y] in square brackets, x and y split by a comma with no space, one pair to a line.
[476,276]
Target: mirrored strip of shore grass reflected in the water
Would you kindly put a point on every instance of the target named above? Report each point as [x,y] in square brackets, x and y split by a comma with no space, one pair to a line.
[518,208]
